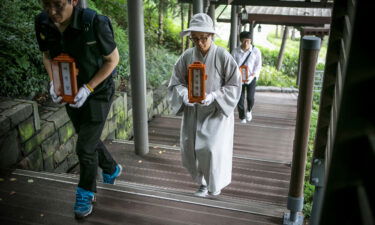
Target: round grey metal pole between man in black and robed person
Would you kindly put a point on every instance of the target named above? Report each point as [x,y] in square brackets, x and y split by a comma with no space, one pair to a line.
[138,76]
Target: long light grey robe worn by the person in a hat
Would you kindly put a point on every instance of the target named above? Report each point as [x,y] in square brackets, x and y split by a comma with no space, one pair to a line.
[207,131]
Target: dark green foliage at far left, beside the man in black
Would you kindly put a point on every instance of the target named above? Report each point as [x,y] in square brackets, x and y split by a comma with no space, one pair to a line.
[21,69]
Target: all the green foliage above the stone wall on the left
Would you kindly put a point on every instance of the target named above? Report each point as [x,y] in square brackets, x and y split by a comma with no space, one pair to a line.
[22,73]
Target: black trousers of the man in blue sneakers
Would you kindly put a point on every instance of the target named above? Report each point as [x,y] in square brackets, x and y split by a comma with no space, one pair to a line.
[90,149]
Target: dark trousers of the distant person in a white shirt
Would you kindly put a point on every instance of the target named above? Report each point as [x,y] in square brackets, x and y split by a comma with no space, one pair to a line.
[249,91]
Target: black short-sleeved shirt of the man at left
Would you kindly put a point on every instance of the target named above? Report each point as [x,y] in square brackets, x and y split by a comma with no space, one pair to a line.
[87,53]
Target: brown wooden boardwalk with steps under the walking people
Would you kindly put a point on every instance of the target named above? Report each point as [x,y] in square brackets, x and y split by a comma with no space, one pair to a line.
[156,189]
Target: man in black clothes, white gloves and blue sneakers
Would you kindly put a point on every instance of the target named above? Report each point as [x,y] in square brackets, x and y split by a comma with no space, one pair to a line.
[63,27]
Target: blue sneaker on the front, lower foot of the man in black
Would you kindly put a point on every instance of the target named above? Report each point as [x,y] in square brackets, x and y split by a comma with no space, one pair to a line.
[83,206]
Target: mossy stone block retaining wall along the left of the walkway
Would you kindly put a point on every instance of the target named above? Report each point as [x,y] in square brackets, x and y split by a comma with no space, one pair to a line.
[43,138]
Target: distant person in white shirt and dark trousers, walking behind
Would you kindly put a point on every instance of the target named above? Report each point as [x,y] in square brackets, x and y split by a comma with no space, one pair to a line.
[250,56]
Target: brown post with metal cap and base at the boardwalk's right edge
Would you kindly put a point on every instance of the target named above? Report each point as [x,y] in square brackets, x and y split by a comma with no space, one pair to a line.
[310,50]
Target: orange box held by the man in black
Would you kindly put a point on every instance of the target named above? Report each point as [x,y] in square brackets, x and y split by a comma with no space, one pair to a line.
[64,73]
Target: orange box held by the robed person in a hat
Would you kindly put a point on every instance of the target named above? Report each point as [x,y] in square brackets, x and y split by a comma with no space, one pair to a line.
[197,82]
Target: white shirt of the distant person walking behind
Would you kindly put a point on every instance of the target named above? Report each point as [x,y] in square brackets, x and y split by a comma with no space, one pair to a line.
[254,61]
